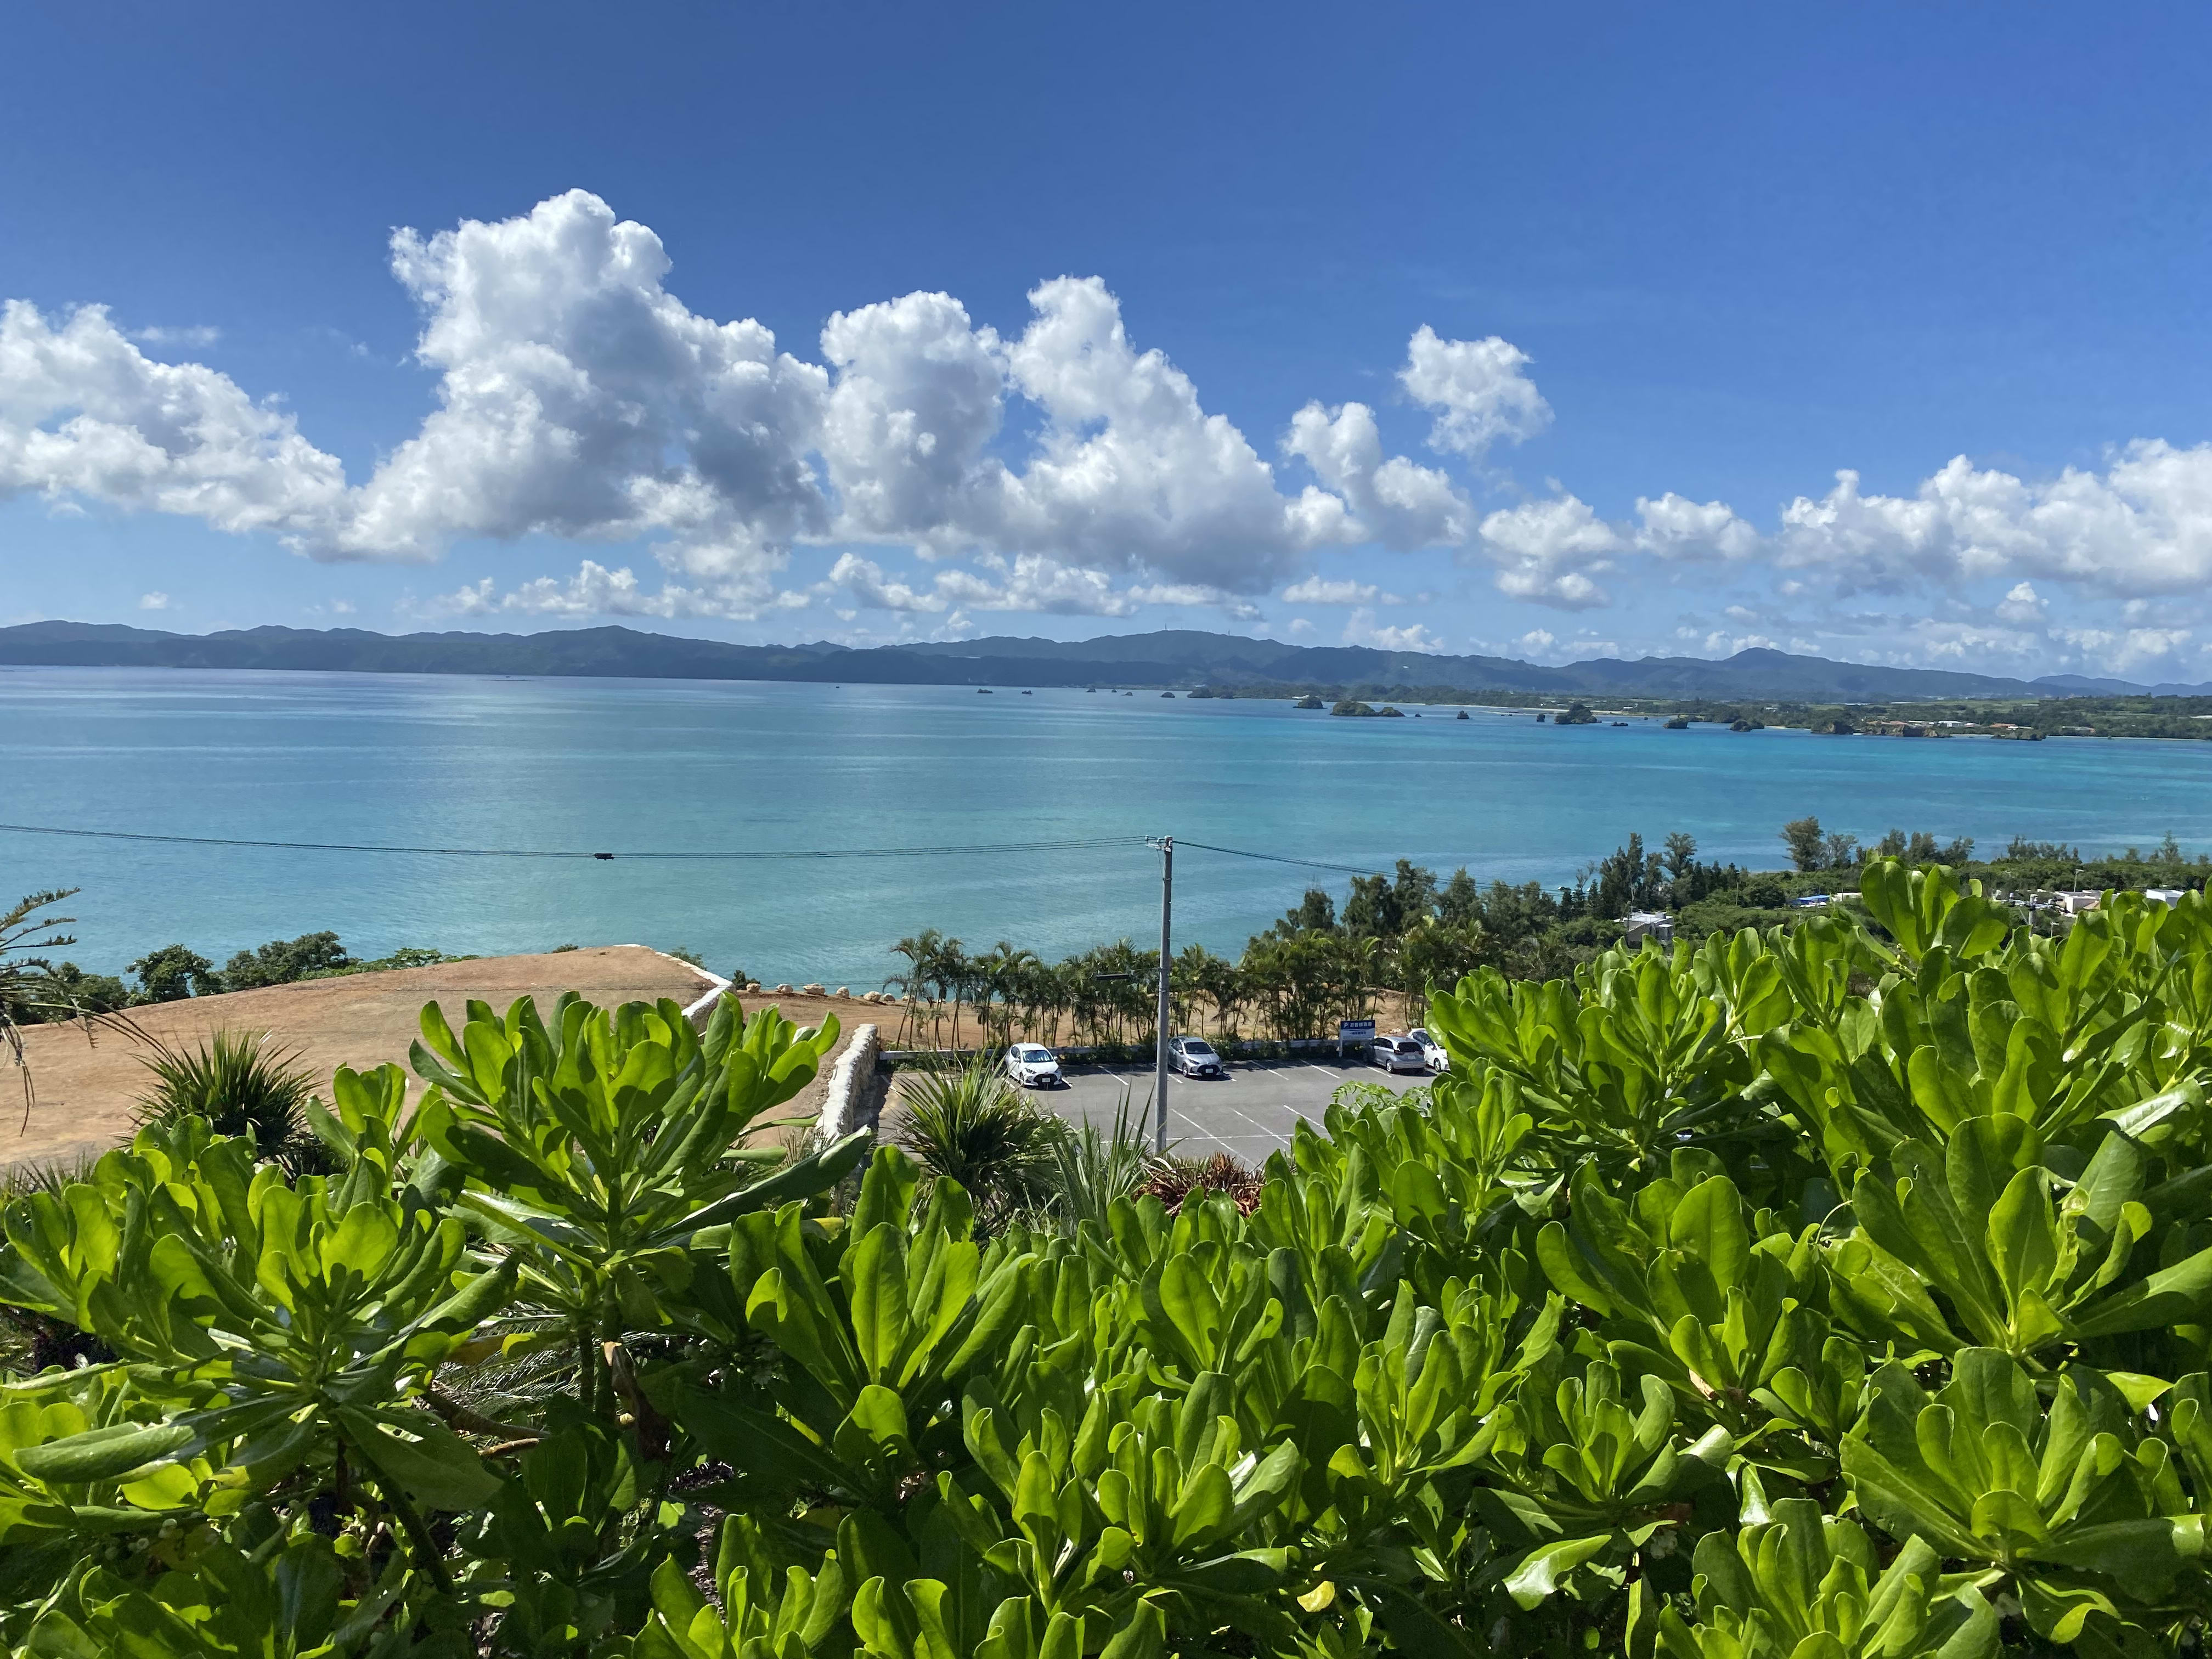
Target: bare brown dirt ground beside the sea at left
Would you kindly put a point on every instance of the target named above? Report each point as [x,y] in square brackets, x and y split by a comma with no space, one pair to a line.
[85,1094]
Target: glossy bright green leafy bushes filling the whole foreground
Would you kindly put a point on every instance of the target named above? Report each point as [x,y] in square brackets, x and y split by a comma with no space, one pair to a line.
[1830,1293]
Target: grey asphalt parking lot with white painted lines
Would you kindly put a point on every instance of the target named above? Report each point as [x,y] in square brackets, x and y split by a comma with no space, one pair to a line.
[1249,1114]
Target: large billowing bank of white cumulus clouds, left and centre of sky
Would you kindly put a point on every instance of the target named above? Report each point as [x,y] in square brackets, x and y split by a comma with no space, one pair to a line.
[581,399]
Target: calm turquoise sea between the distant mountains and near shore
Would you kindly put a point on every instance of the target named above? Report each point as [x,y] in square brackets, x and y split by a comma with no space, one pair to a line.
[709,766]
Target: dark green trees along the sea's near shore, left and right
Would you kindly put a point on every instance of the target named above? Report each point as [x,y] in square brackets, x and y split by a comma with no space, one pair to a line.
[1366,952]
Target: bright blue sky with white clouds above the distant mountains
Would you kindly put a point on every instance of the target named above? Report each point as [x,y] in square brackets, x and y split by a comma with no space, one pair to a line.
[1523,331]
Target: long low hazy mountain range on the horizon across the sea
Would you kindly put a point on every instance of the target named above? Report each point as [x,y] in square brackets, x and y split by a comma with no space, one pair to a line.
[1171,658]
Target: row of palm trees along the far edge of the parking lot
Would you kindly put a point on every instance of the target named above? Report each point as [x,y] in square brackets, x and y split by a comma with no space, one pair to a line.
[1284,985]
